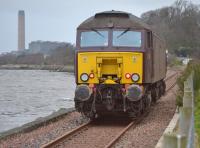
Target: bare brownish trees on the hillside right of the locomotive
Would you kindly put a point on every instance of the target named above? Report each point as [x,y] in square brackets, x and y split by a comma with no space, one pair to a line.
[179,25]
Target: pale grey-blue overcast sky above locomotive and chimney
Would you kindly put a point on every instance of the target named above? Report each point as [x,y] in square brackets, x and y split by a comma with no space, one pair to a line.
[57,20]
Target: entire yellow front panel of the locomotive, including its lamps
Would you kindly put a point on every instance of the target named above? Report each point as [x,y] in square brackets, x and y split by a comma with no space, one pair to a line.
[115,67]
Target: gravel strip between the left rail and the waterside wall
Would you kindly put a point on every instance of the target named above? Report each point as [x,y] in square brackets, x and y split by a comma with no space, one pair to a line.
[44,134]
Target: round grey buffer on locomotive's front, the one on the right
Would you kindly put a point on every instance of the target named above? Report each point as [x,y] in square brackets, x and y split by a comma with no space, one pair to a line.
[134,93]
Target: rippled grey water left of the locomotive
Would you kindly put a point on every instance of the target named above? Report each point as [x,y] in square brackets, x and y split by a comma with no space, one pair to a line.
[28,94]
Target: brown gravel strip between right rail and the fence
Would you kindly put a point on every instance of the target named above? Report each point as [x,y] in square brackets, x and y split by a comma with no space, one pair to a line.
[148,132]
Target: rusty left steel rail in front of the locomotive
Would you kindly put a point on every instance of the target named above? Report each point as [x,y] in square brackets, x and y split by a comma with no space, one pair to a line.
[59,139]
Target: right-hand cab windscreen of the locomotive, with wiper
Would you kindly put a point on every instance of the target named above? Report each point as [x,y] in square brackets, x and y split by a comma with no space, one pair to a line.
[127,38]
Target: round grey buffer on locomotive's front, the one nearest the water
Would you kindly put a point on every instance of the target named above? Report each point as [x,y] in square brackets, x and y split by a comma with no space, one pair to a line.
[82,93]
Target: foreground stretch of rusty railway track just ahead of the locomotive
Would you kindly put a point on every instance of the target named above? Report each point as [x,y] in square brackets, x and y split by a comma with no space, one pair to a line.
[121,129]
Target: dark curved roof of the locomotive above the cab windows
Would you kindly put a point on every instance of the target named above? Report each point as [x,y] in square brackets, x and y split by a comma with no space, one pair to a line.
[113,19]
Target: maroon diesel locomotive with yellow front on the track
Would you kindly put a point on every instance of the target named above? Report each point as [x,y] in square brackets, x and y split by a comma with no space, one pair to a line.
[120,65]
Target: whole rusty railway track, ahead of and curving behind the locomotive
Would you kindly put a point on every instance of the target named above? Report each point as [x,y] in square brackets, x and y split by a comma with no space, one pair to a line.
[111,133]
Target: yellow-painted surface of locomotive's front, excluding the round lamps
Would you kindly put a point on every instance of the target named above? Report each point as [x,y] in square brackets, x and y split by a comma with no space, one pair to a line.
[110,63]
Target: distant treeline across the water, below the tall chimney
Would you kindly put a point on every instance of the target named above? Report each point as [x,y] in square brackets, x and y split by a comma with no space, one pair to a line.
[60,56]
